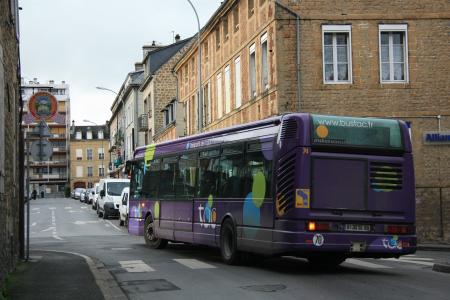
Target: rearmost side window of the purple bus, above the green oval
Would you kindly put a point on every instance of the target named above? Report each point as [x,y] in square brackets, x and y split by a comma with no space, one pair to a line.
[258,166]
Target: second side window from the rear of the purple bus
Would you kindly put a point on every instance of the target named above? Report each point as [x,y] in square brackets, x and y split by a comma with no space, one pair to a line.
[232,175]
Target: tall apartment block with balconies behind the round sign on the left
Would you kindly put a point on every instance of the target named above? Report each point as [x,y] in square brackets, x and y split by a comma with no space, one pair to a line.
[52,176]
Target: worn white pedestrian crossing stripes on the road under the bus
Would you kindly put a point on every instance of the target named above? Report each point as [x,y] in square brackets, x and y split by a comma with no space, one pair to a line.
[139,266]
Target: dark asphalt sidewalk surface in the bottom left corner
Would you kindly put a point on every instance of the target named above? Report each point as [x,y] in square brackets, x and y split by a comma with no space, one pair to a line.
[54,275]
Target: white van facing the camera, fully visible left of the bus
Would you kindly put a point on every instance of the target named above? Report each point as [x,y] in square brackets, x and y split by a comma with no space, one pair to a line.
[109,200]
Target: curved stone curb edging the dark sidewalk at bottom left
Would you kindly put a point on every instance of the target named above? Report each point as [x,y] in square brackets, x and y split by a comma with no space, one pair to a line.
[105,281]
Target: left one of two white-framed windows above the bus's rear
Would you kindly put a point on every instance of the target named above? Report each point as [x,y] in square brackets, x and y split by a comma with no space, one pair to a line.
[337,66]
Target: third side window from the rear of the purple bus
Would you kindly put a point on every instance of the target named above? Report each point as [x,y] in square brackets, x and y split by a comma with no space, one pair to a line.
[209,172]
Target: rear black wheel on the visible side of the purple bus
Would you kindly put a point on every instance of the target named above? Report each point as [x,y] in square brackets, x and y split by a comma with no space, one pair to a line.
[228,243]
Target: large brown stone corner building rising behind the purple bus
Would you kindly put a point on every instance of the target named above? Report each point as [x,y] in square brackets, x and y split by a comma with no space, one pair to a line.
[363,58]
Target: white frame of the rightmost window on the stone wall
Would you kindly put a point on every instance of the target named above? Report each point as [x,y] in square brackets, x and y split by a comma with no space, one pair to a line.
[391,28]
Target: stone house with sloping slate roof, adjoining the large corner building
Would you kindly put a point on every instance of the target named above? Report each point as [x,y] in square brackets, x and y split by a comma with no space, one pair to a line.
[162,118]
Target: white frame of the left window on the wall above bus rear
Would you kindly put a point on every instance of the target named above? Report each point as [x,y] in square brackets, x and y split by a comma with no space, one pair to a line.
[337,29]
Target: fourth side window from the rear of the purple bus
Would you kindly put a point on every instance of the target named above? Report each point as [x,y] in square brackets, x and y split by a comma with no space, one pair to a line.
[186,179]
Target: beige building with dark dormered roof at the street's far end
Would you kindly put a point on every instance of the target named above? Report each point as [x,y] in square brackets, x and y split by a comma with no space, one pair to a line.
[88,161]
